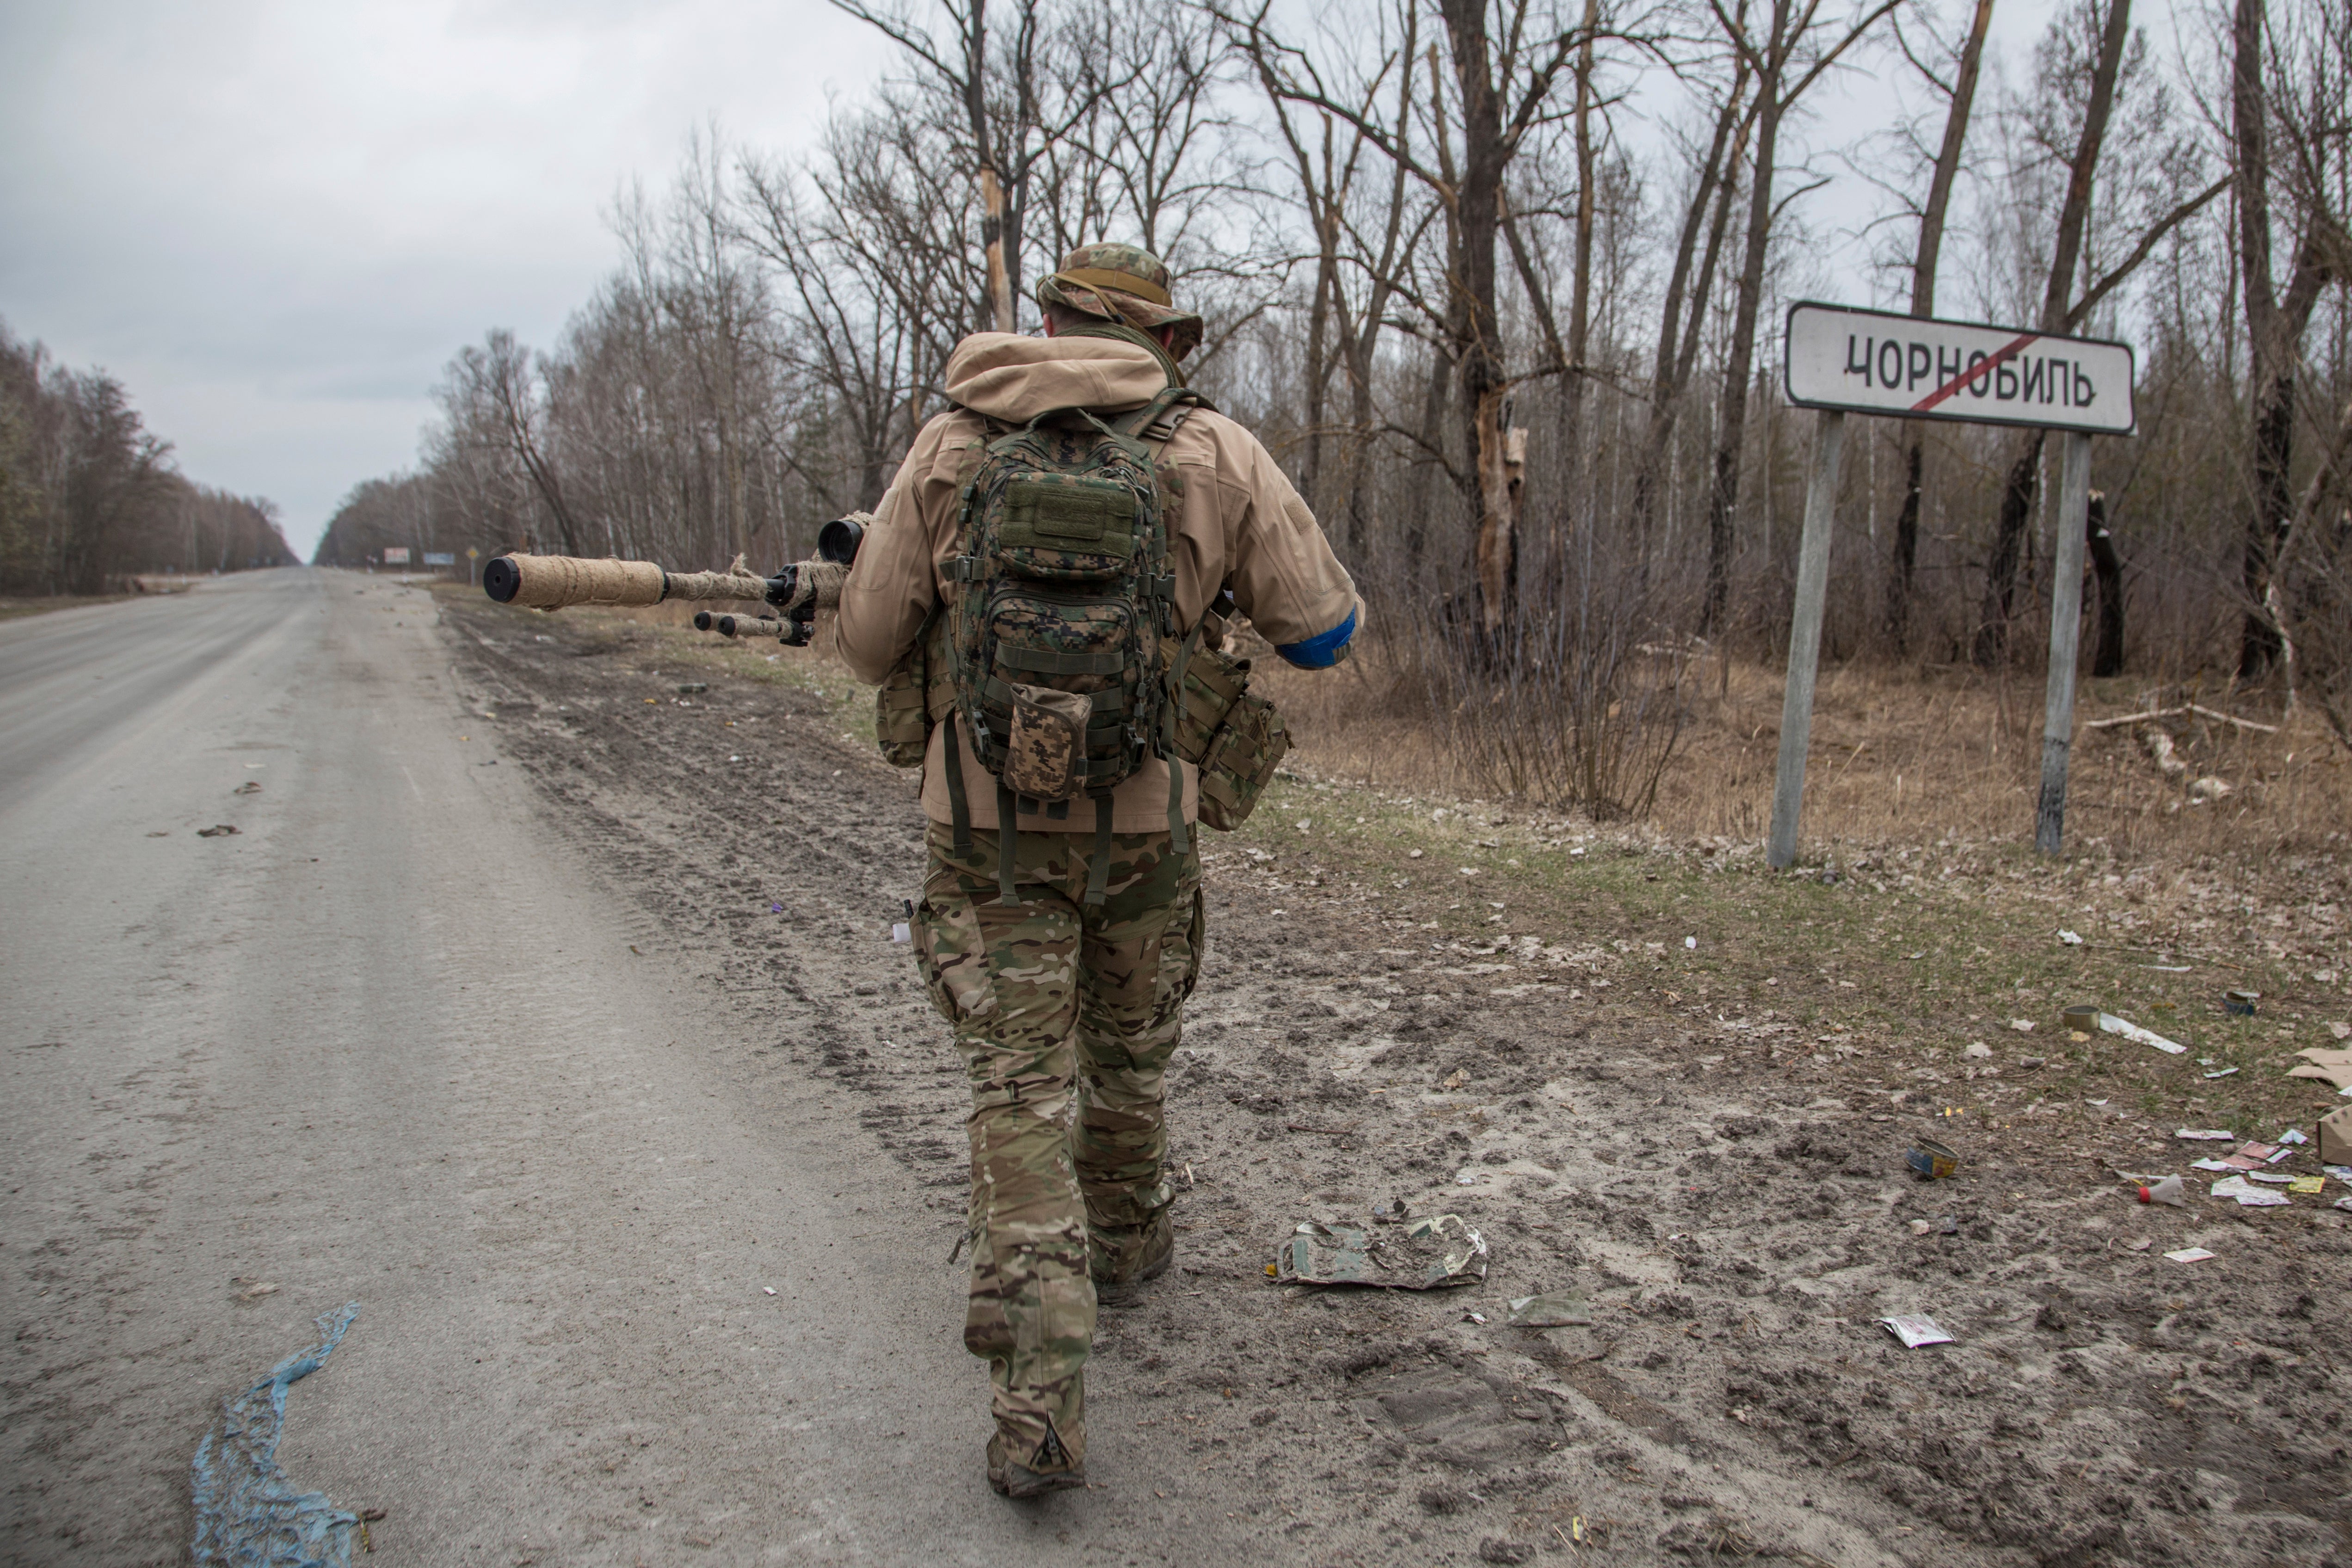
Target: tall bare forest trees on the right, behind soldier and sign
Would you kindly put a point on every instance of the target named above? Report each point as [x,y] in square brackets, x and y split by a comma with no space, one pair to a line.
[1502,283]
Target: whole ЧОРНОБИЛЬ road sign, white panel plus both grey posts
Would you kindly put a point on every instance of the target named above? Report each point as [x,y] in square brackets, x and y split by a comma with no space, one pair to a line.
[1847,361]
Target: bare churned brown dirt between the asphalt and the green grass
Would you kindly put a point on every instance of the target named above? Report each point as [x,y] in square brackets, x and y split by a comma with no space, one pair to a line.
[1737,1235]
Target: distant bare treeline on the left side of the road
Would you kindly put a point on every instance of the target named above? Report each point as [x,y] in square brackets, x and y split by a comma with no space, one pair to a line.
[91,497]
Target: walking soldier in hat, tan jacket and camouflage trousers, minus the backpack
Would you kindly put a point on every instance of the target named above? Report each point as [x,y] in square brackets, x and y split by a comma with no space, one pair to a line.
[1064,972]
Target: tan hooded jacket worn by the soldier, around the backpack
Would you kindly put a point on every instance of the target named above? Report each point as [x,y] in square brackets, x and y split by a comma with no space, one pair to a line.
[1243,525]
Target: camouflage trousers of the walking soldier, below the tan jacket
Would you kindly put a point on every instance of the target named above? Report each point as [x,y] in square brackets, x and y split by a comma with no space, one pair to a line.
[1067,1019]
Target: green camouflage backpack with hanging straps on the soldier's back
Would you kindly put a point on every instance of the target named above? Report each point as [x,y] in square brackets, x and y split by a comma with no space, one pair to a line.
[1062,626]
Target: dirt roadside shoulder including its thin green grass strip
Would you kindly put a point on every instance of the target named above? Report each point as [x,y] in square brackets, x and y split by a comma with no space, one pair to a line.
[1650,1076]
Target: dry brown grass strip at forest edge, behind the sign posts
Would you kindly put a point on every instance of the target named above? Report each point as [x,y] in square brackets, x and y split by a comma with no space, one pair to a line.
[1899,758]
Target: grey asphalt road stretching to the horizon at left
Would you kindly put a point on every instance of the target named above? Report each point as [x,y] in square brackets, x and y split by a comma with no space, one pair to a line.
[389,1043]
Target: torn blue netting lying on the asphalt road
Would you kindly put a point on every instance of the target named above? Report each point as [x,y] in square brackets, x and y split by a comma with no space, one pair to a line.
[246,1513]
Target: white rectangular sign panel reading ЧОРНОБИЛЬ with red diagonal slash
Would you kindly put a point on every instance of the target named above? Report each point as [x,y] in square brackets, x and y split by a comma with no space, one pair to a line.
[1885,363]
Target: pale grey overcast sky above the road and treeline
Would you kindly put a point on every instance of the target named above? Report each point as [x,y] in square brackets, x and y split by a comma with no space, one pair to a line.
[279,222]
